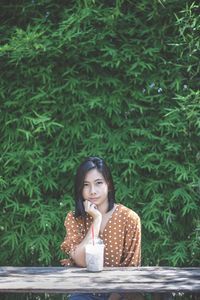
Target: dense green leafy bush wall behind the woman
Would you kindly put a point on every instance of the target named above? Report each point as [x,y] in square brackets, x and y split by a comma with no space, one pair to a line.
[118,79]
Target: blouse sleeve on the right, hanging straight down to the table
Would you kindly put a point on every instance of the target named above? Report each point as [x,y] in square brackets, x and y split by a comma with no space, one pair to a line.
[132,246]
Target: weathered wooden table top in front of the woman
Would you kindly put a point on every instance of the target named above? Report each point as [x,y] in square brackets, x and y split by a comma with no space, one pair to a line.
[70,280]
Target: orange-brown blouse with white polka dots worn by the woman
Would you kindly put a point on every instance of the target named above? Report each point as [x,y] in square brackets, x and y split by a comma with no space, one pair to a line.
[121,236]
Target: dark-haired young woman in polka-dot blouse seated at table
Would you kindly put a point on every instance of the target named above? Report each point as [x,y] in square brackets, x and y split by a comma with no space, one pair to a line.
[118,226]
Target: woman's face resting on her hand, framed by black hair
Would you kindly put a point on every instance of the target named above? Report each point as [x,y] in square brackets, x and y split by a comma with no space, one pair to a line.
[95,189]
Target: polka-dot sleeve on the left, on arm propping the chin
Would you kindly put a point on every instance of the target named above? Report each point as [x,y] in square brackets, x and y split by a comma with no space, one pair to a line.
[73,234]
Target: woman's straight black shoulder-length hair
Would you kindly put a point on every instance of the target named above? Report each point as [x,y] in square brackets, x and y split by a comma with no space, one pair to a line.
[88,164]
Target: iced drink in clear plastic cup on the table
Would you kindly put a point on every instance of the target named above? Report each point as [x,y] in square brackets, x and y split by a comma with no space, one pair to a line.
[95,256]
